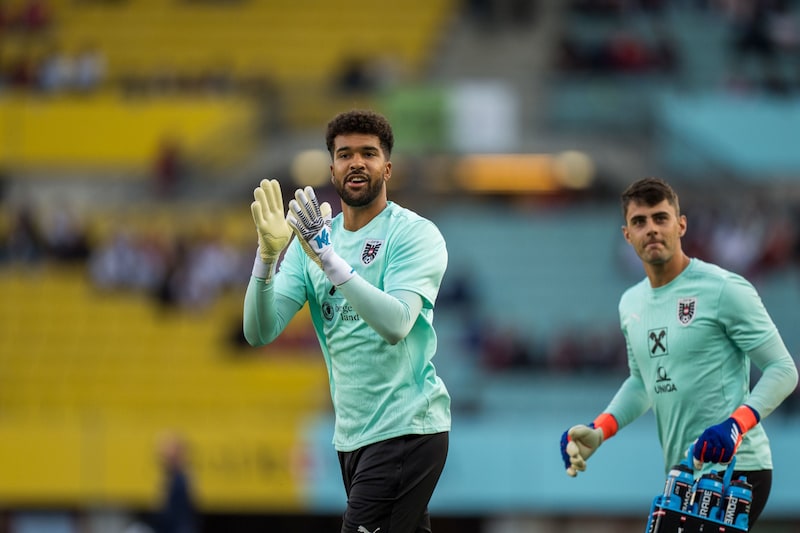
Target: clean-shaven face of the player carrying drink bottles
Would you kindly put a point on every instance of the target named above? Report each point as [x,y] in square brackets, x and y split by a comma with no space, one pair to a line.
[654,231]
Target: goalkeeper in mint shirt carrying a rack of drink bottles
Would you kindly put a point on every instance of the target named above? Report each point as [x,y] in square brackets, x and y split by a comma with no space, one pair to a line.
[691,330]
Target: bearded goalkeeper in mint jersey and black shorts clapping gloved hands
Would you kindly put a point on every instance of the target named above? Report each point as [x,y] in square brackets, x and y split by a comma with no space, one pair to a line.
[370,276]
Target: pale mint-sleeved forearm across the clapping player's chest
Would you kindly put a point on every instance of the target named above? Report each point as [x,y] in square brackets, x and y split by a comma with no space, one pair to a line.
[391,315]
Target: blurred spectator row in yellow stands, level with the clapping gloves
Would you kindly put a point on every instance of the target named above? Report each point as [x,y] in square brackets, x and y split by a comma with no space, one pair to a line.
[184,271]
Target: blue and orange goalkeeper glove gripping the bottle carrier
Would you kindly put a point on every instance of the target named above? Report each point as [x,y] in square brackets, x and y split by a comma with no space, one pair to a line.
[718,444]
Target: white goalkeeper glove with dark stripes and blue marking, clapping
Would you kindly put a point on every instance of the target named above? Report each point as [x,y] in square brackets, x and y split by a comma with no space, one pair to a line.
[312,224]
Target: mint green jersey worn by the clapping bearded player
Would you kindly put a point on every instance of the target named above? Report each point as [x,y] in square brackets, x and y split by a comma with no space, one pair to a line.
[379,391]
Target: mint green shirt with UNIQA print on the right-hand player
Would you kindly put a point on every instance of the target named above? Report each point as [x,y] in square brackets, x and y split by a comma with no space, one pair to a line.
[690,344]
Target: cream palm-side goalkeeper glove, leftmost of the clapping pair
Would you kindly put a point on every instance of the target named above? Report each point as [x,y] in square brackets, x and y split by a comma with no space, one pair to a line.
[273,231]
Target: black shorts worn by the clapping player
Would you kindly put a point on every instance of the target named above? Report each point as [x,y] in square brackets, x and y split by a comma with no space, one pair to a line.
[390,483]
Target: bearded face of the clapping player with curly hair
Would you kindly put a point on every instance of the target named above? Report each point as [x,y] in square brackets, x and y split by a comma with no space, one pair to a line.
[359,170]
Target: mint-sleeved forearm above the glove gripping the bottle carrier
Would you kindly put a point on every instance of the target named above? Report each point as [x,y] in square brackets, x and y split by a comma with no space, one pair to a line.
[778,379]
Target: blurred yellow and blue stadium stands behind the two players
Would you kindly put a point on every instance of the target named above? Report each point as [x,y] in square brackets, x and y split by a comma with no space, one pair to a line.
[132,133]
